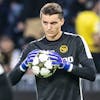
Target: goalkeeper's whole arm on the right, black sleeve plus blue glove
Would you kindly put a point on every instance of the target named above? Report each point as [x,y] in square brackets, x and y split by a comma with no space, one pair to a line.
[83,57]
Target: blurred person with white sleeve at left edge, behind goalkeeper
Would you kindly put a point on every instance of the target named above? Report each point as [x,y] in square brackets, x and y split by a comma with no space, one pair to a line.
[10,55]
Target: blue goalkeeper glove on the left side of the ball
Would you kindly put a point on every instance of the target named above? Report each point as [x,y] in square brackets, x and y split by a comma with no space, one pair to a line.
[25,64]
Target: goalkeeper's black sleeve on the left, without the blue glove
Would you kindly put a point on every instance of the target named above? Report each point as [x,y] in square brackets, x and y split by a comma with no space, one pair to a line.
[16,74]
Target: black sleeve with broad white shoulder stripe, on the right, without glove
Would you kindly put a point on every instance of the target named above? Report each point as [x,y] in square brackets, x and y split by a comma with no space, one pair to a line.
[87,69]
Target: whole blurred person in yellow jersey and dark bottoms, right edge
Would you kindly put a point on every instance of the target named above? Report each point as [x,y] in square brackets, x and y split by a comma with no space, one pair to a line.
[88,25]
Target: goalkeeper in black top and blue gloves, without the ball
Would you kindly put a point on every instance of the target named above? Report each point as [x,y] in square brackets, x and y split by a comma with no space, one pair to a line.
[72,51]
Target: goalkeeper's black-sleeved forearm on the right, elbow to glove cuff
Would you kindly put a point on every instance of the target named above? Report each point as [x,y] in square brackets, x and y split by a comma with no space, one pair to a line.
[87,71]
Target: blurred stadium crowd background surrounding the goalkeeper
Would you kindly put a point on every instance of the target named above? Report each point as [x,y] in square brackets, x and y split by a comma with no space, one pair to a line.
[20,24]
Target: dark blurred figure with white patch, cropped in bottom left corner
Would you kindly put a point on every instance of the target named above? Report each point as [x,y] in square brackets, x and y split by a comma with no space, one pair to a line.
[5,86]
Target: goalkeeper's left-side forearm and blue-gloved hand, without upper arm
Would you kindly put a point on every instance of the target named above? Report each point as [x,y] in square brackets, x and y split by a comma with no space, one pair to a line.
[22,67]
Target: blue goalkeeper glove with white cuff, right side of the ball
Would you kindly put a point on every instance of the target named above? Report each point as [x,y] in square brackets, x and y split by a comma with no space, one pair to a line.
[57,60]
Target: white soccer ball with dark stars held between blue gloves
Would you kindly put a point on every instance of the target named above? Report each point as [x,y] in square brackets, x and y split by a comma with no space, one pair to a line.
[42,65]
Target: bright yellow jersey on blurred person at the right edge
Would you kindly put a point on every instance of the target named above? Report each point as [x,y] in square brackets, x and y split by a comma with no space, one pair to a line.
[86,25]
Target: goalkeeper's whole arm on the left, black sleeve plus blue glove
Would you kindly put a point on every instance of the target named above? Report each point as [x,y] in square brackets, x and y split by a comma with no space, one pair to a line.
[27,57]
